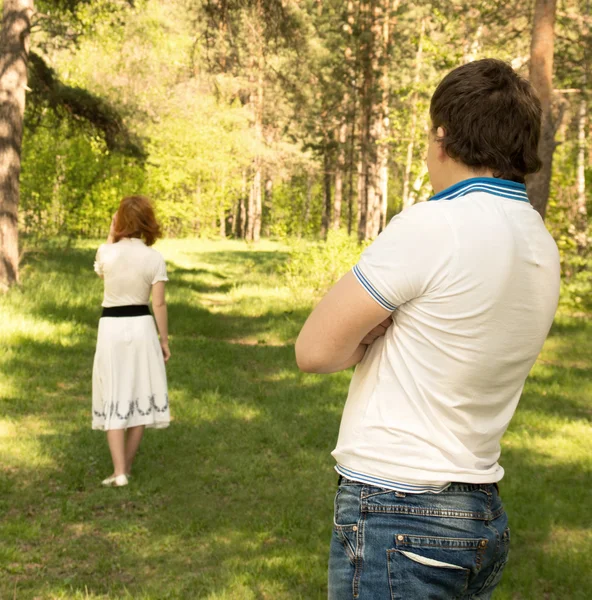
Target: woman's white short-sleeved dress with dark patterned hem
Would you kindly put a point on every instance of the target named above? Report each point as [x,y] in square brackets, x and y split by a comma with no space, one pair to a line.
[129,386]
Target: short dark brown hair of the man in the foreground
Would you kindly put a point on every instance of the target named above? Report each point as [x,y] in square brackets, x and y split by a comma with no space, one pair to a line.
[491,118]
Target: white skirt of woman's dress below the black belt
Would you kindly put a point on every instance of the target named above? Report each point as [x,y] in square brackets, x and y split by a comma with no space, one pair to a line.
[129,378]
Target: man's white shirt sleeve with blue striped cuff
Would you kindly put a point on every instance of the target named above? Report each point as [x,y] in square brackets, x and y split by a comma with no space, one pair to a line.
[410,258]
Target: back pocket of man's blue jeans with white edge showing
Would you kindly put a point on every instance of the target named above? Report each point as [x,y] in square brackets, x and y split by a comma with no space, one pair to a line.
[432,567]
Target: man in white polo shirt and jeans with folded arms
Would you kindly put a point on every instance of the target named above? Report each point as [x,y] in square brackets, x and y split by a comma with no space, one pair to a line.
[444,314]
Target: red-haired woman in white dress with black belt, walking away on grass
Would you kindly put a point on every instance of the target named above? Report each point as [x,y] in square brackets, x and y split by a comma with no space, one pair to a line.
[129,378]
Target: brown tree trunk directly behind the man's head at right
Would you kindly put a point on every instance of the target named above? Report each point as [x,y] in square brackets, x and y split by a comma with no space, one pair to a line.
[541,77]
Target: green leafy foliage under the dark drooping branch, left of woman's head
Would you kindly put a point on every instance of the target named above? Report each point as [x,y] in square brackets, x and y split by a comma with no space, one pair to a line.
[71,182]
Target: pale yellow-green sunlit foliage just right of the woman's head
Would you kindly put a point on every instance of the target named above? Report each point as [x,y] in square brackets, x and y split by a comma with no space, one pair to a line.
[197,161]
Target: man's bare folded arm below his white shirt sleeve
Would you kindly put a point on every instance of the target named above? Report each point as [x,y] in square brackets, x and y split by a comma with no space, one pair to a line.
[338,331]
